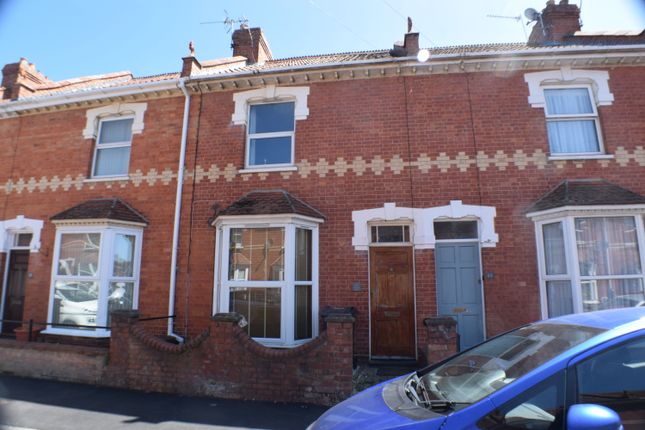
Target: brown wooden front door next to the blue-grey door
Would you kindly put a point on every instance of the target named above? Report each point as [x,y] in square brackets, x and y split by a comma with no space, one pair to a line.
[392,302]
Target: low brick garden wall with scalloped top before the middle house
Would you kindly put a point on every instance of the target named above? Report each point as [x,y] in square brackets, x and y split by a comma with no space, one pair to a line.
[224,362]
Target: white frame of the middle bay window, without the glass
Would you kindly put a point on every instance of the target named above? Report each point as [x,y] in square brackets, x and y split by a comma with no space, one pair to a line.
[221,296]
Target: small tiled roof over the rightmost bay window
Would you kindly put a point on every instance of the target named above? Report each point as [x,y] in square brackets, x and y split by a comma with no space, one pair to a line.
[586,192]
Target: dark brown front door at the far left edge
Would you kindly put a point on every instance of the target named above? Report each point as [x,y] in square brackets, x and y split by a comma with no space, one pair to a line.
[15,290]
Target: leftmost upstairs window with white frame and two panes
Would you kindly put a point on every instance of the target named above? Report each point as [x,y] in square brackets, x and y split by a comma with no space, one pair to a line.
[112,150]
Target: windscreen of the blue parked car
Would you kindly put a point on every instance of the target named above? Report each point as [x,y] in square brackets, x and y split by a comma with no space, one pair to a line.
[488,367]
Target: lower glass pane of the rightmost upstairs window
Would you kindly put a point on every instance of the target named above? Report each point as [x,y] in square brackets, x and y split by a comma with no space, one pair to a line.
[573,136]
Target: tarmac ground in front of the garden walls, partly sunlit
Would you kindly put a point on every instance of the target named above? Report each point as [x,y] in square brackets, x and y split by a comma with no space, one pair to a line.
[32,404]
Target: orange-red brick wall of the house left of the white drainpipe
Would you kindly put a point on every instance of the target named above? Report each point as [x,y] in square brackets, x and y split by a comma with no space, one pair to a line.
[45,164]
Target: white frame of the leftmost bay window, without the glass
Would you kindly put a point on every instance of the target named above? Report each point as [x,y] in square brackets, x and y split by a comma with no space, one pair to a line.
[103,277]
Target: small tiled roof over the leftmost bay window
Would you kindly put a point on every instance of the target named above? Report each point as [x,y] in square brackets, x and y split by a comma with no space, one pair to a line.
[110,208]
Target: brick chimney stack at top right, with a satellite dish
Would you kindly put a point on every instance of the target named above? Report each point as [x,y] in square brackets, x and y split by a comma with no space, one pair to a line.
[557,23]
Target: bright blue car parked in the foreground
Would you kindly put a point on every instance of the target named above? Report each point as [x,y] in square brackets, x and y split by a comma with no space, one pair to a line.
[583,371]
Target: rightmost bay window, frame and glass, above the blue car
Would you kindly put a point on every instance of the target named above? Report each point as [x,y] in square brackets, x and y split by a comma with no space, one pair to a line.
[591,262]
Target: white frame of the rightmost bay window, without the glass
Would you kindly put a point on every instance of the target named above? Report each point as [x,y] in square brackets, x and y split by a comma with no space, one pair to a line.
[567,217]
